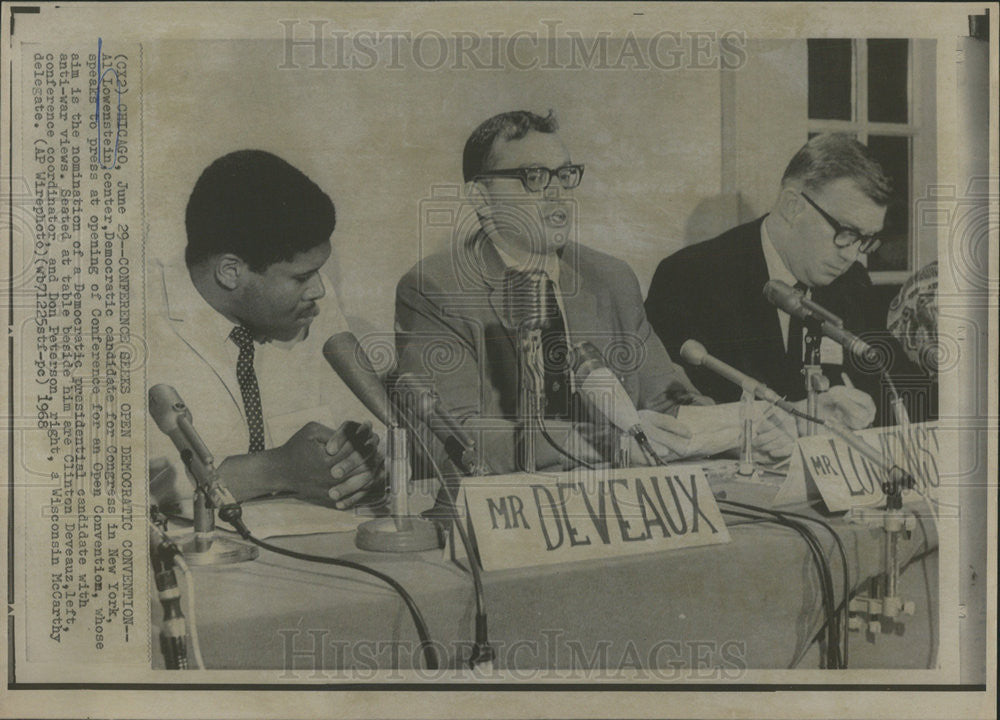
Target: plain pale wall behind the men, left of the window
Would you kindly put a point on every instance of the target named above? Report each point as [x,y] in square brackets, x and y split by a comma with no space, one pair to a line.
[379,140]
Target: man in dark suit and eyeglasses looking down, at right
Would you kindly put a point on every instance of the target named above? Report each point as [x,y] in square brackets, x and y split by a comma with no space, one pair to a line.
[830,208]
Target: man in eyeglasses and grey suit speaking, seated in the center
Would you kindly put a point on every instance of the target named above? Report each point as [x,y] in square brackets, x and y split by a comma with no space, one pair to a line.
[452,325]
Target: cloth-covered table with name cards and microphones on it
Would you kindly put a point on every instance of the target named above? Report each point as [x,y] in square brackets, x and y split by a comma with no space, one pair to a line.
[752,603]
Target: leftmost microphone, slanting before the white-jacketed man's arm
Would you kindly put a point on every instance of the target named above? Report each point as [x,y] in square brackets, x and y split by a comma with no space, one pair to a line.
[173,418]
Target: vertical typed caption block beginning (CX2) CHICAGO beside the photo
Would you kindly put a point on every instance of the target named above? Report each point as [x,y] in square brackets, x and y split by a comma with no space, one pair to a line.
[79,455]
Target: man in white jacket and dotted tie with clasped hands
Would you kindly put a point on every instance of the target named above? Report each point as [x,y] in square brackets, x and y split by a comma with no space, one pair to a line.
[258,233]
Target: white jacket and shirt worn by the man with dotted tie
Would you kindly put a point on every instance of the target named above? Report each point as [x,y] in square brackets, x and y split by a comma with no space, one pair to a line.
[189,348]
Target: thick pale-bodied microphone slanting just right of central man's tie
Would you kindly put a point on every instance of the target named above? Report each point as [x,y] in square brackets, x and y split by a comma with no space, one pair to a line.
[602,390]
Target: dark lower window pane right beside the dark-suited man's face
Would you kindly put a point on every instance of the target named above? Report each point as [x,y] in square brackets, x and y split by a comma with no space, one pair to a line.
[894,155]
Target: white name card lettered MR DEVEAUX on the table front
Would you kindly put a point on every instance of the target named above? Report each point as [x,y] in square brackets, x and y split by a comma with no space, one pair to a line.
[526,520]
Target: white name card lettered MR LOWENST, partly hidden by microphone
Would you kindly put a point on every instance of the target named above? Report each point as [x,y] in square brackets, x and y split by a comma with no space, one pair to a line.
[845,479]
